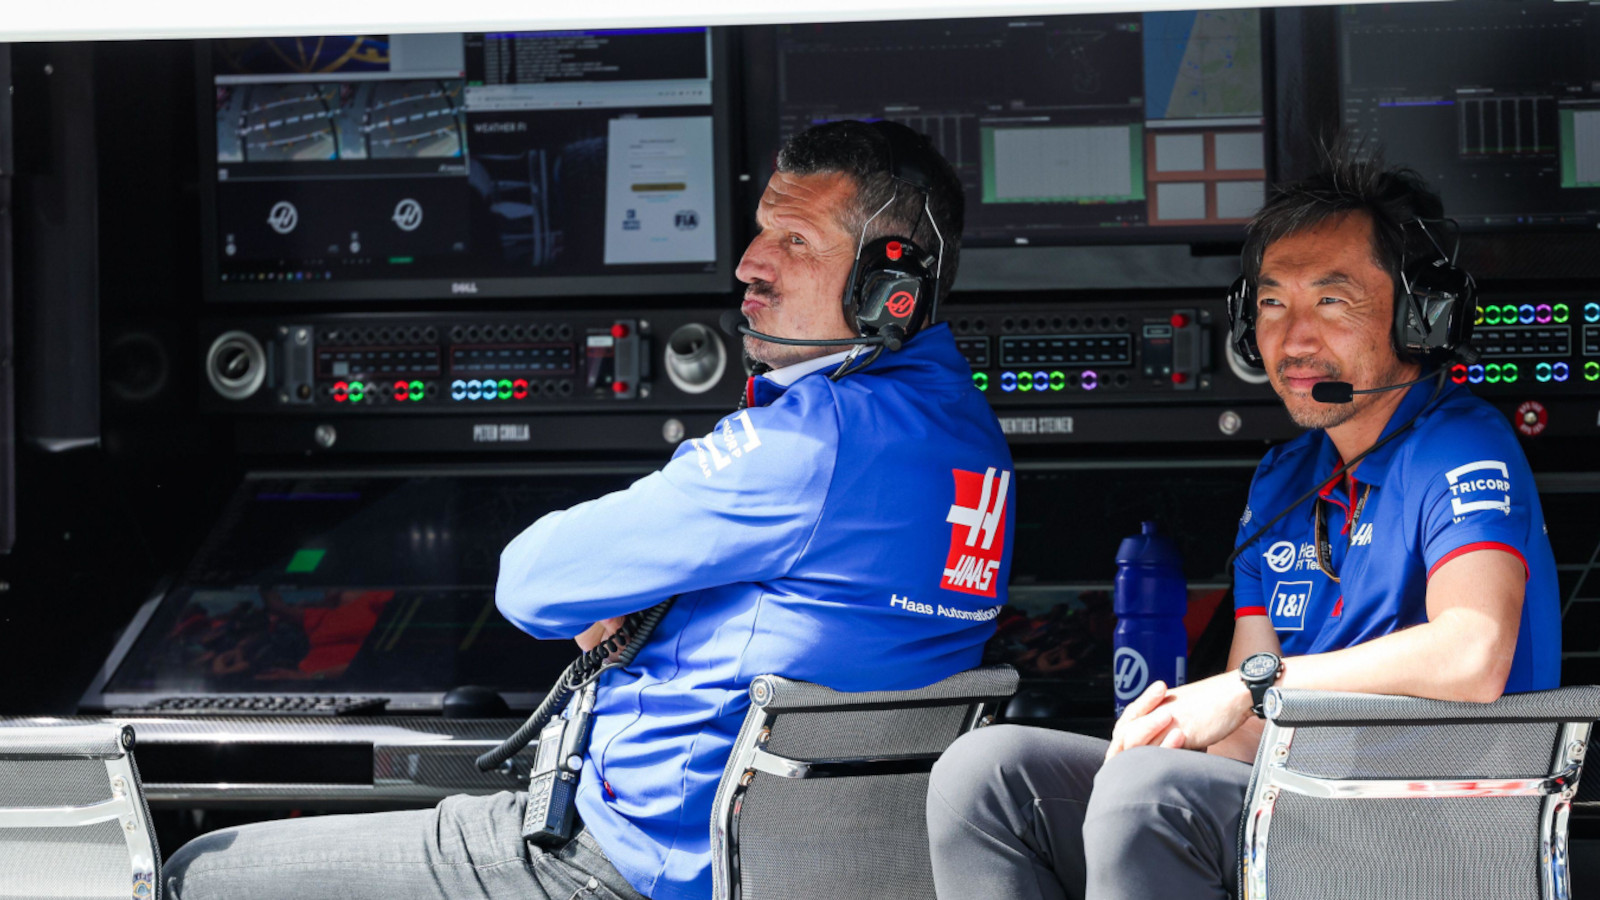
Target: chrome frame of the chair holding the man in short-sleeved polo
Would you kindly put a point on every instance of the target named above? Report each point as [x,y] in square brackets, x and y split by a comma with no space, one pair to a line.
[1273,777]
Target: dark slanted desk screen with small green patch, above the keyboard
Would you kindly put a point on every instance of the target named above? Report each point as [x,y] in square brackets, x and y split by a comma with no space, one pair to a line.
[356,585]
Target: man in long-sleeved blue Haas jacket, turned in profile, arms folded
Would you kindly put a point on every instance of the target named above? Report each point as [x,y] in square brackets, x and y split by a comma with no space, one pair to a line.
[847,528]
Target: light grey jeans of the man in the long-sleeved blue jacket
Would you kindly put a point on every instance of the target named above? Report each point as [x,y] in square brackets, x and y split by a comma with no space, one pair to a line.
[465,848]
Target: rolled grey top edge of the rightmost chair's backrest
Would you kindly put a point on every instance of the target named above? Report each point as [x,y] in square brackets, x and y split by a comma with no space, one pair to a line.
[1310,709]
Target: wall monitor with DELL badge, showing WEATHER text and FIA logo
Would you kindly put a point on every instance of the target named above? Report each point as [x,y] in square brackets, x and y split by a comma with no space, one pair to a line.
[466,166]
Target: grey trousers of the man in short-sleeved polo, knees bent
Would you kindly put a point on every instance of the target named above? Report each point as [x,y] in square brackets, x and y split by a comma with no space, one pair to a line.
[1031,813]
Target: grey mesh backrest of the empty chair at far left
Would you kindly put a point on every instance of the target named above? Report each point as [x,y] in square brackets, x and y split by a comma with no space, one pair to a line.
[73,816]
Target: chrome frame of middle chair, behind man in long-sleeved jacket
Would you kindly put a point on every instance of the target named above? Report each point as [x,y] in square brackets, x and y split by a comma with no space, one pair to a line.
[751,758]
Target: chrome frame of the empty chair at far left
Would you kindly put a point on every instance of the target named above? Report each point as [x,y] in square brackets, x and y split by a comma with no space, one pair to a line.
[111,744]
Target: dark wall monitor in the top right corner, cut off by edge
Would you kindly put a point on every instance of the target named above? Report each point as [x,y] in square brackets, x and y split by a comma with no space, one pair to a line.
[1495,103]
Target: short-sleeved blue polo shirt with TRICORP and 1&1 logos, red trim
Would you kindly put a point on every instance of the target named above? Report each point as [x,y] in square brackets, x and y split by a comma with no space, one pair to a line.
[1455,484]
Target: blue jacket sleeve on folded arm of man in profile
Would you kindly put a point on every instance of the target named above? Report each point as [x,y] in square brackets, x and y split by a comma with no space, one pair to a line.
[692,526]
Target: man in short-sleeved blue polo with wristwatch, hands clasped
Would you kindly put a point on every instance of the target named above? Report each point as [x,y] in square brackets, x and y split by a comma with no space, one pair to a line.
[1420,569]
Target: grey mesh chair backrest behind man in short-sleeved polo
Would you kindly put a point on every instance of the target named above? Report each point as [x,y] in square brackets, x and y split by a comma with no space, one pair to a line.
[1364,797]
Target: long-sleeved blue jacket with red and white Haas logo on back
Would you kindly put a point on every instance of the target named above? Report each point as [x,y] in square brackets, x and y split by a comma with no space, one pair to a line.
[852,534]
